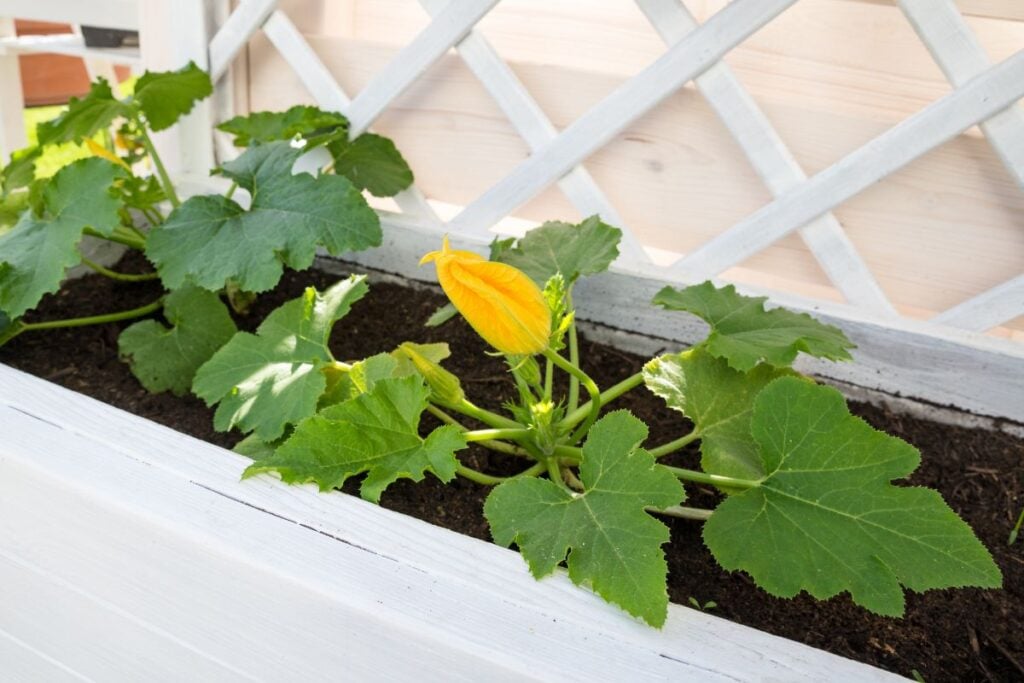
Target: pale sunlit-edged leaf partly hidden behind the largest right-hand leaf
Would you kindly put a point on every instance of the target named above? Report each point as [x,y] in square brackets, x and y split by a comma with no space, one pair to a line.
[719,401]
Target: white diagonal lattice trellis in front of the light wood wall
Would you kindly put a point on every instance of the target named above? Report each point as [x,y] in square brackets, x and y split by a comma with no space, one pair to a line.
[983,95]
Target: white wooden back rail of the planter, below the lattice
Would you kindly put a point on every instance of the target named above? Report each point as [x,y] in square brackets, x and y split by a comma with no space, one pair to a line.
[895,356]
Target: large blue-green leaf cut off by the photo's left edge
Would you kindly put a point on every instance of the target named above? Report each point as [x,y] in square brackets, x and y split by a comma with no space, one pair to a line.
[35,254]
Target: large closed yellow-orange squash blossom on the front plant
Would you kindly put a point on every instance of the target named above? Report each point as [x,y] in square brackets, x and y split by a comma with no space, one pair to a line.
[501,303]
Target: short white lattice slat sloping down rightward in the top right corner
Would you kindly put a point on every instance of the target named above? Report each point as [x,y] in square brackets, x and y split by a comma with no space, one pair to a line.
[961,57]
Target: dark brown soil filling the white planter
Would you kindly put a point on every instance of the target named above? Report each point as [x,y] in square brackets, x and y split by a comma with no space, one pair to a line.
[955,635]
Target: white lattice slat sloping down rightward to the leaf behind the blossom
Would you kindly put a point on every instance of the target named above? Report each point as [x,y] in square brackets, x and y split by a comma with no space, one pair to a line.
[537,131]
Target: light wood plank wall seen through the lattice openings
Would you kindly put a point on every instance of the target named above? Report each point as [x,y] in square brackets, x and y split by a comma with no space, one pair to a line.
[830,74]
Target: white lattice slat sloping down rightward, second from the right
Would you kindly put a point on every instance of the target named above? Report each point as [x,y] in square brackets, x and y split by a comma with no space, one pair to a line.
[775,163]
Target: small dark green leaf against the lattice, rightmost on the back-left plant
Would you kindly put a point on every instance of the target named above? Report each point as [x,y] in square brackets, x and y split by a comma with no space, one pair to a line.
[372,162]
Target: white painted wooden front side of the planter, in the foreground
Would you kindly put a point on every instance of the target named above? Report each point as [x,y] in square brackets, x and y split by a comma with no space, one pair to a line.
[129,547]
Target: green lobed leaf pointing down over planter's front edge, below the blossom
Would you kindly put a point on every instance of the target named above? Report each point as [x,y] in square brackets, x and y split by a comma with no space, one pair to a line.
[612,543]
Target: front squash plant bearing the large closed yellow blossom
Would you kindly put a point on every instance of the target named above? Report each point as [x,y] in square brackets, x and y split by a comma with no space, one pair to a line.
[808,504]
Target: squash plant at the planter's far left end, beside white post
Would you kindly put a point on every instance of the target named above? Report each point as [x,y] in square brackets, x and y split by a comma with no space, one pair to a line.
[206,245]
